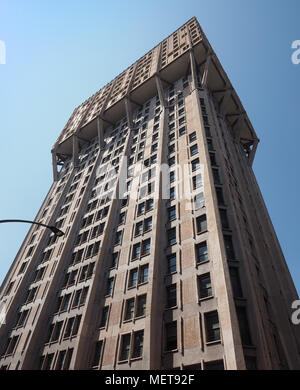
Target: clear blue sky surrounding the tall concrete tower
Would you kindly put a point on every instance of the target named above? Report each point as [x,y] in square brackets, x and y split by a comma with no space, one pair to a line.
[61,52]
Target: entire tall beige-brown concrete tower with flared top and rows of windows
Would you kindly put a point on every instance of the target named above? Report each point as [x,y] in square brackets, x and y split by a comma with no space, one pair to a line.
[169,259]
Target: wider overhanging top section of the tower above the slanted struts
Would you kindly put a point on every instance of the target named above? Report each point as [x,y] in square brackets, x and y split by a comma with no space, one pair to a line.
[170,60]
